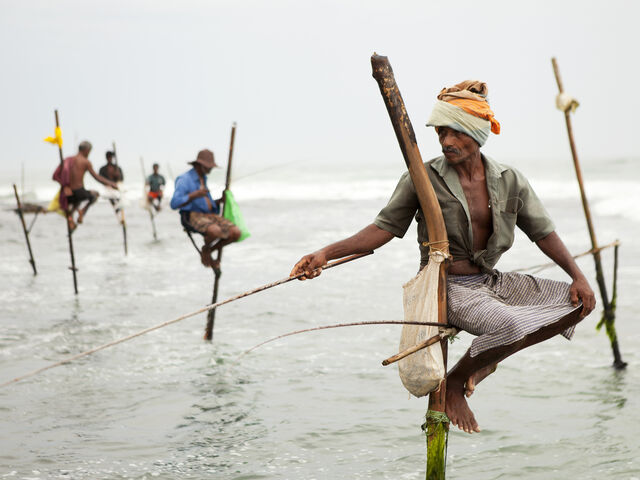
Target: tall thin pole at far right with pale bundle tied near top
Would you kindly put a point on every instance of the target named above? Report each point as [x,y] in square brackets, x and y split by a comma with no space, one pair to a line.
[609,314]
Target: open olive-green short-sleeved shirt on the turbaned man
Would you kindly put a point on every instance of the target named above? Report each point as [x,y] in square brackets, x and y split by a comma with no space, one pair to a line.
[511,199]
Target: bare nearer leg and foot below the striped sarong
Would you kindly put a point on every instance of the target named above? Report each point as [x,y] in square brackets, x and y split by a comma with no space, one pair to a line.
[469,367]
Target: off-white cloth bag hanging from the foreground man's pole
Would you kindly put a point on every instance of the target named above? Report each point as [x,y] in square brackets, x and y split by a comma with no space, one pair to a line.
[423,371]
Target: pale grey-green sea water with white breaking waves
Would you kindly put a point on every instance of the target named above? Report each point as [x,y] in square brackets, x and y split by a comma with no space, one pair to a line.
[313,406]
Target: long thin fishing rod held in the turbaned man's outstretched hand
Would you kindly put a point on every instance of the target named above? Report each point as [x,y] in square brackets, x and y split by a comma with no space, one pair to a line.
[183,317]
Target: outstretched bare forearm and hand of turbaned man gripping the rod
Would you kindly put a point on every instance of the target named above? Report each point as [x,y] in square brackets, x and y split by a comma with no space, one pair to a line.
[367,239]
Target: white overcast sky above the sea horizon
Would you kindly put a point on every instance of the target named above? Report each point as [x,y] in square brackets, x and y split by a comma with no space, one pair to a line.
[167,78]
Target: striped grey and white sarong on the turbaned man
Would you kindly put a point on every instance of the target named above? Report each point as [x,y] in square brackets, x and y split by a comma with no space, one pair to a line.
[502,308]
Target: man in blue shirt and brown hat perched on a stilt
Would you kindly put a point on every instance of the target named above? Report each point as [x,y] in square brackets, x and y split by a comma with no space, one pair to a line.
[199,212]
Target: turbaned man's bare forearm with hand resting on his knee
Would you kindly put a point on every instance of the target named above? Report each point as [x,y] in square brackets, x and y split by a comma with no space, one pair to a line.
[553,247]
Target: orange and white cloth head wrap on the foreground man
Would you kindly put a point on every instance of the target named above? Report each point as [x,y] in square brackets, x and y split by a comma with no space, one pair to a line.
[464,108]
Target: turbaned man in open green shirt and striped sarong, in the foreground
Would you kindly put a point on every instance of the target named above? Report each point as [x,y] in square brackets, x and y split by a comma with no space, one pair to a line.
[482,201]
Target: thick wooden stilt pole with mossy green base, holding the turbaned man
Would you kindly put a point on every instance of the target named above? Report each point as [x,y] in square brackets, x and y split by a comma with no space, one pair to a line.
[437,424]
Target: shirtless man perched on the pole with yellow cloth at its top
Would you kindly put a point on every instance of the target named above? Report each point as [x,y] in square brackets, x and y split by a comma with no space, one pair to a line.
[79,195]
